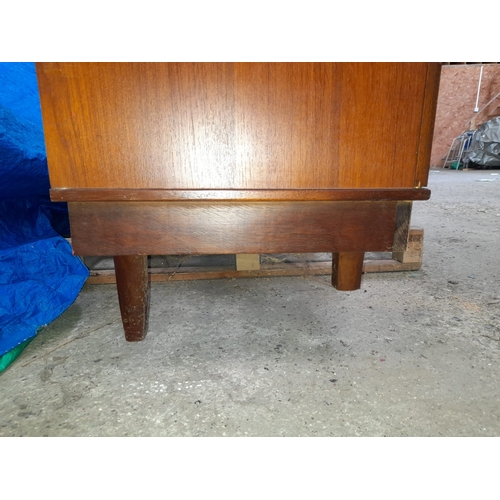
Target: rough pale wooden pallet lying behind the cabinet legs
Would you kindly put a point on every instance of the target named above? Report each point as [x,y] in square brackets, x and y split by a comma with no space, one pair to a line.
[250,266]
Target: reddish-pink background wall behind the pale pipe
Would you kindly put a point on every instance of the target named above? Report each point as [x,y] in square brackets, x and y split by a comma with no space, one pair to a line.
[456,102]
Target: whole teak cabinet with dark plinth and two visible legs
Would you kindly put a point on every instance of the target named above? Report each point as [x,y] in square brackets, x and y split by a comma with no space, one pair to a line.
[218,158]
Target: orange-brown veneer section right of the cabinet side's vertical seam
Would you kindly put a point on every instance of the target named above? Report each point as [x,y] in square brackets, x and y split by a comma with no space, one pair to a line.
[380,123]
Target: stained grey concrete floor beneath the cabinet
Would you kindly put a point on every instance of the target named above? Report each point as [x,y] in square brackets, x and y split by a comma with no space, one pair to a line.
[410,354]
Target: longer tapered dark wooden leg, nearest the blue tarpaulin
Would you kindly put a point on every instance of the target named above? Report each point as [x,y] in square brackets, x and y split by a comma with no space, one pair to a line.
[132,284]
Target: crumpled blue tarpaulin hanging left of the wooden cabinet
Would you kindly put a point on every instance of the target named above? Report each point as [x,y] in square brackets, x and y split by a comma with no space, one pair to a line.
[39,275]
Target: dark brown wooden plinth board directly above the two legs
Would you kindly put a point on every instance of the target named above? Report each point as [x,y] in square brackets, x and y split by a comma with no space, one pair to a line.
[180,228]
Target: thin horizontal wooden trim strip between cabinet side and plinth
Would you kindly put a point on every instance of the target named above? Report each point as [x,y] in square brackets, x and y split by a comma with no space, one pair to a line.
[239,195]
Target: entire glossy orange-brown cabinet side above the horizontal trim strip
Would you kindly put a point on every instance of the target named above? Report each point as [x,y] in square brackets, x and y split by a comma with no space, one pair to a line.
[236,125]
